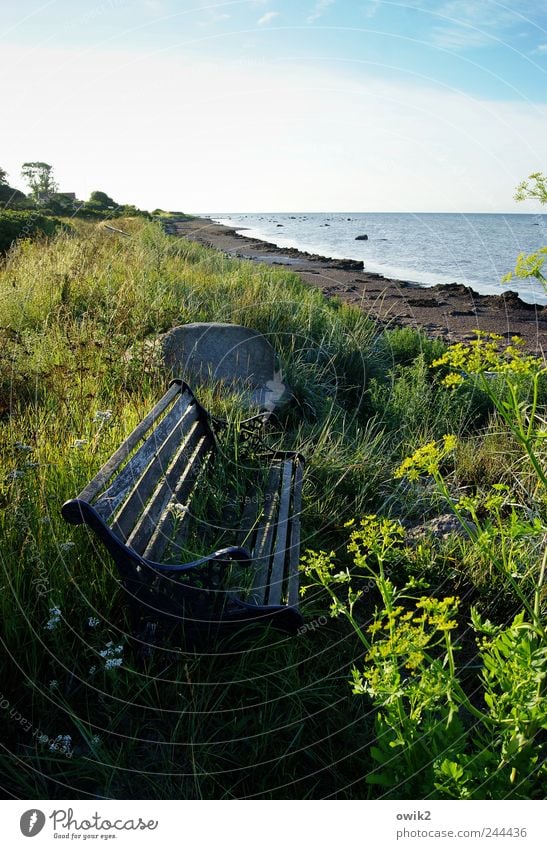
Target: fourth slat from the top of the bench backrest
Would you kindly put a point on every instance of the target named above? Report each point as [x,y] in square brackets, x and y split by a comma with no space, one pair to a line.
[188,455]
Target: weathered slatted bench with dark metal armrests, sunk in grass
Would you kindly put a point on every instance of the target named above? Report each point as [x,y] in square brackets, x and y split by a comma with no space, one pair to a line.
[140,505]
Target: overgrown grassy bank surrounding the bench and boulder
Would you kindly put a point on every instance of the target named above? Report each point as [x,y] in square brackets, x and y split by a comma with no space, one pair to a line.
[274,718]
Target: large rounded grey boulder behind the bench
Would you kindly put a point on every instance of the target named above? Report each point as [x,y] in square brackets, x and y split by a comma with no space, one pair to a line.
[236,355]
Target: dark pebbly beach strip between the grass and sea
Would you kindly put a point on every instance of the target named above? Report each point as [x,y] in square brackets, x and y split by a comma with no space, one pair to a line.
[451,312]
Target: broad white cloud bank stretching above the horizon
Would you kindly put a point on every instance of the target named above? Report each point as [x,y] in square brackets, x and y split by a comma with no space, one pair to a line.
[183,133]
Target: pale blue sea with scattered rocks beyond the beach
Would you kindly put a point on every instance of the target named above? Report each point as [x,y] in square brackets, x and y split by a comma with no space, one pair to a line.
[476,249]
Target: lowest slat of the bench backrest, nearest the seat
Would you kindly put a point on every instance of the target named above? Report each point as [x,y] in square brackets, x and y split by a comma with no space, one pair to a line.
[172,527]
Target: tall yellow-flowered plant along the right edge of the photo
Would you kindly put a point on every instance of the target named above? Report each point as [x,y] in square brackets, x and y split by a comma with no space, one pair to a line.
[509,536]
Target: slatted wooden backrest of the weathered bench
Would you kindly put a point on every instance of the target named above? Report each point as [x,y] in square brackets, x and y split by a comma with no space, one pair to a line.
[141,491]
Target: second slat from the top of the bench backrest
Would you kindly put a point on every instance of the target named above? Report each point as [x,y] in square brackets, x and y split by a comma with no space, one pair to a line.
[128,478]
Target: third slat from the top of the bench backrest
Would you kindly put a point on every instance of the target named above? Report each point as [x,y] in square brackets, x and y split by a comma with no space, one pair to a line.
[184,433]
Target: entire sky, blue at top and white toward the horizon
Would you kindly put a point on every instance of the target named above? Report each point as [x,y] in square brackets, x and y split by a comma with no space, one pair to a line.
[249,105]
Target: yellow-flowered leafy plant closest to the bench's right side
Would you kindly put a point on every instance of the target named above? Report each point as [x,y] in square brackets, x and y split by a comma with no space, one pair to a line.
[409,667]
